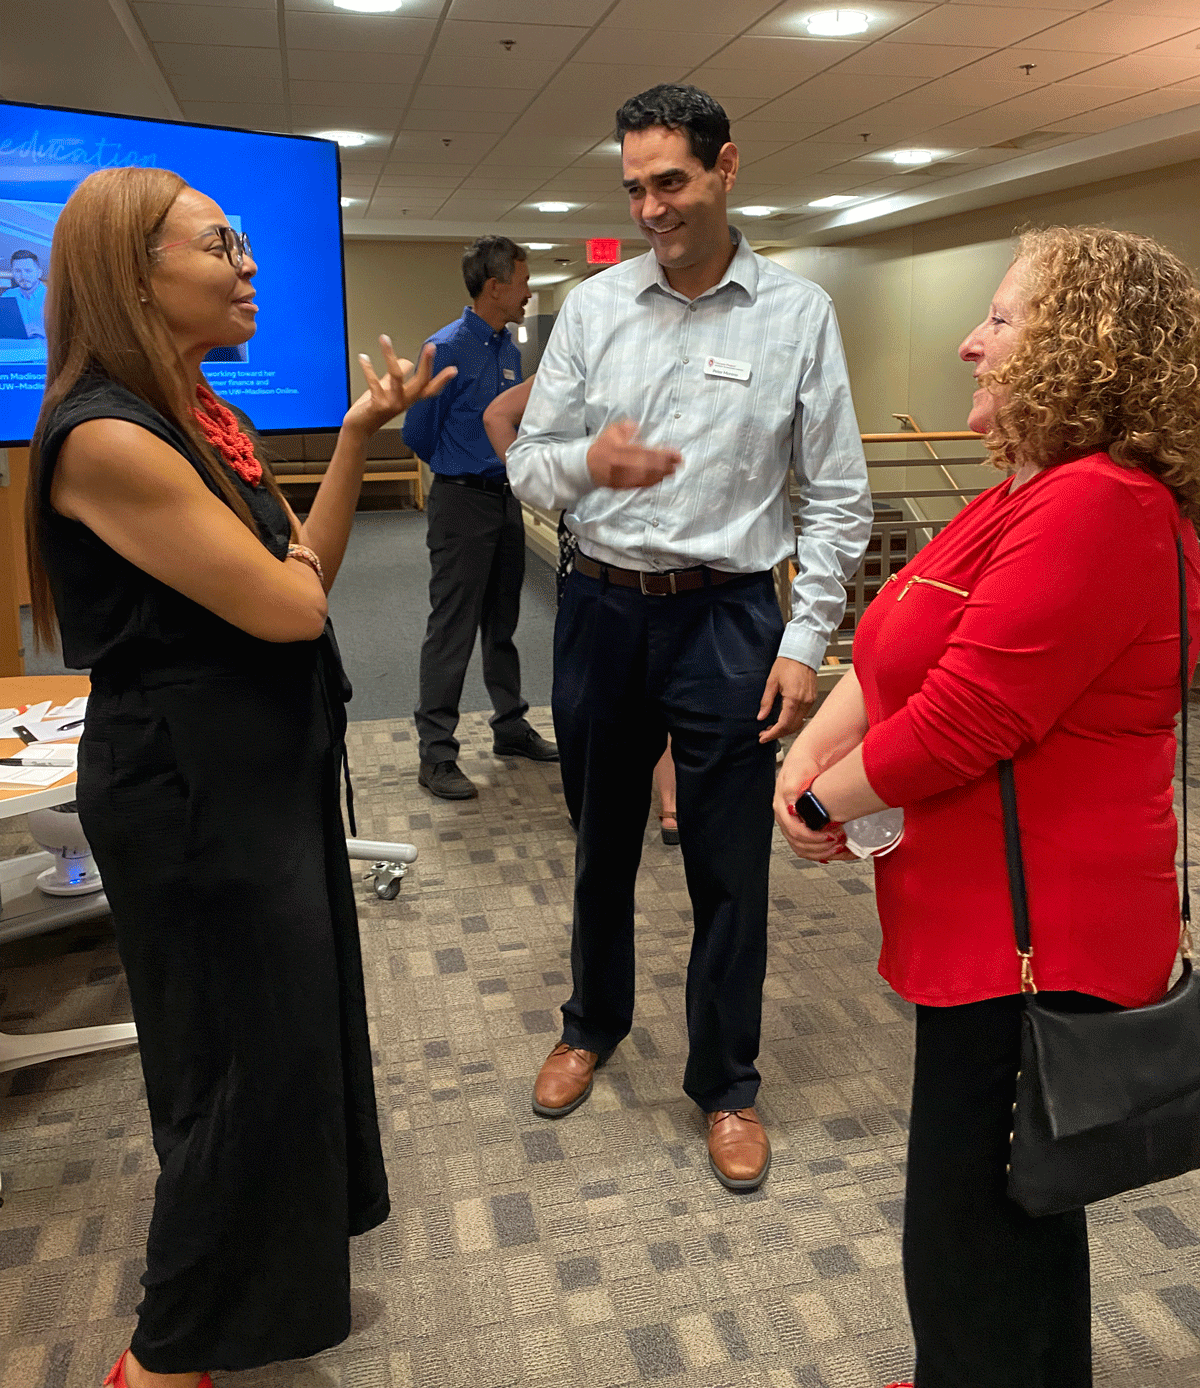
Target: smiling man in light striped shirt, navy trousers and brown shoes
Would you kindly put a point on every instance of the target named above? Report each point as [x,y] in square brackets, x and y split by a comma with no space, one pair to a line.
[674,396]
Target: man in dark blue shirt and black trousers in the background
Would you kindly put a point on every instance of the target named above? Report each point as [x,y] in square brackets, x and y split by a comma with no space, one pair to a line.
[477,535]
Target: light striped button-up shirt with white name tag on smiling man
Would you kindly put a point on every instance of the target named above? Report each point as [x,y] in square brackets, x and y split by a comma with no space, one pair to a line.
[746,381]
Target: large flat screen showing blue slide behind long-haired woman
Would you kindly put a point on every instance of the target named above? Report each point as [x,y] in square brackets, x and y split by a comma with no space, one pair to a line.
[282,191]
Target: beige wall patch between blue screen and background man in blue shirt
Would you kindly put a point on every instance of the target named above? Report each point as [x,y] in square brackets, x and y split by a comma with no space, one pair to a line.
[404,289]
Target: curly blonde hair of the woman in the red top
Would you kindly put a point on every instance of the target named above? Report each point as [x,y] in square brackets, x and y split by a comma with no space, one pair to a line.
[1108,359]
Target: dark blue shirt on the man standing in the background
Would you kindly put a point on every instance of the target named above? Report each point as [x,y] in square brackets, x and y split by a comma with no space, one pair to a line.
[447,432]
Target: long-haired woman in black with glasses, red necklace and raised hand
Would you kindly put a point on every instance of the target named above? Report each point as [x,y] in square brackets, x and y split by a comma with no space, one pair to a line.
[210,771]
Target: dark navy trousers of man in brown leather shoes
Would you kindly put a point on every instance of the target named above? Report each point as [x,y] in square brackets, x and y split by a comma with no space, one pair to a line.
[629,671]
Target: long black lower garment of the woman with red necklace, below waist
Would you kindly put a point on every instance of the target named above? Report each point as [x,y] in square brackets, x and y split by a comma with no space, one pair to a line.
[212,803]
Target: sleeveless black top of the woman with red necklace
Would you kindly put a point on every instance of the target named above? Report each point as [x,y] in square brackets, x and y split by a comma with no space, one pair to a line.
[113,616]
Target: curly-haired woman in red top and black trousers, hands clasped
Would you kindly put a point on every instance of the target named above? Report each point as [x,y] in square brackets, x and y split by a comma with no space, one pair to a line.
[1041,625]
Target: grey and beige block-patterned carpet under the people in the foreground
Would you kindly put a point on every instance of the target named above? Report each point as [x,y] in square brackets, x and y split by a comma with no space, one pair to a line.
[597,1251]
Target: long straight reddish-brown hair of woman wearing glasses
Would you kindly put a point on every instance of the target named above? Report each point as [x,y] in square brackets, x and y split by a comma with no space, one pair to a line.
[102,319]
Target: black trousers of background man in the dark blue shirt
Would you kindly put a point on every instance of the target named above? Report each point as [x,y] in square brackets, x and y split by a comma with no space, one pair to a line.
[477,555]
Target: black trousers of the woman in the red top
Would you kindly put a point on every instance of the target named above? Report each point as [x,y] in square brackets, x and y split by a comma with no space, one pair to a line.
[997,1297]
